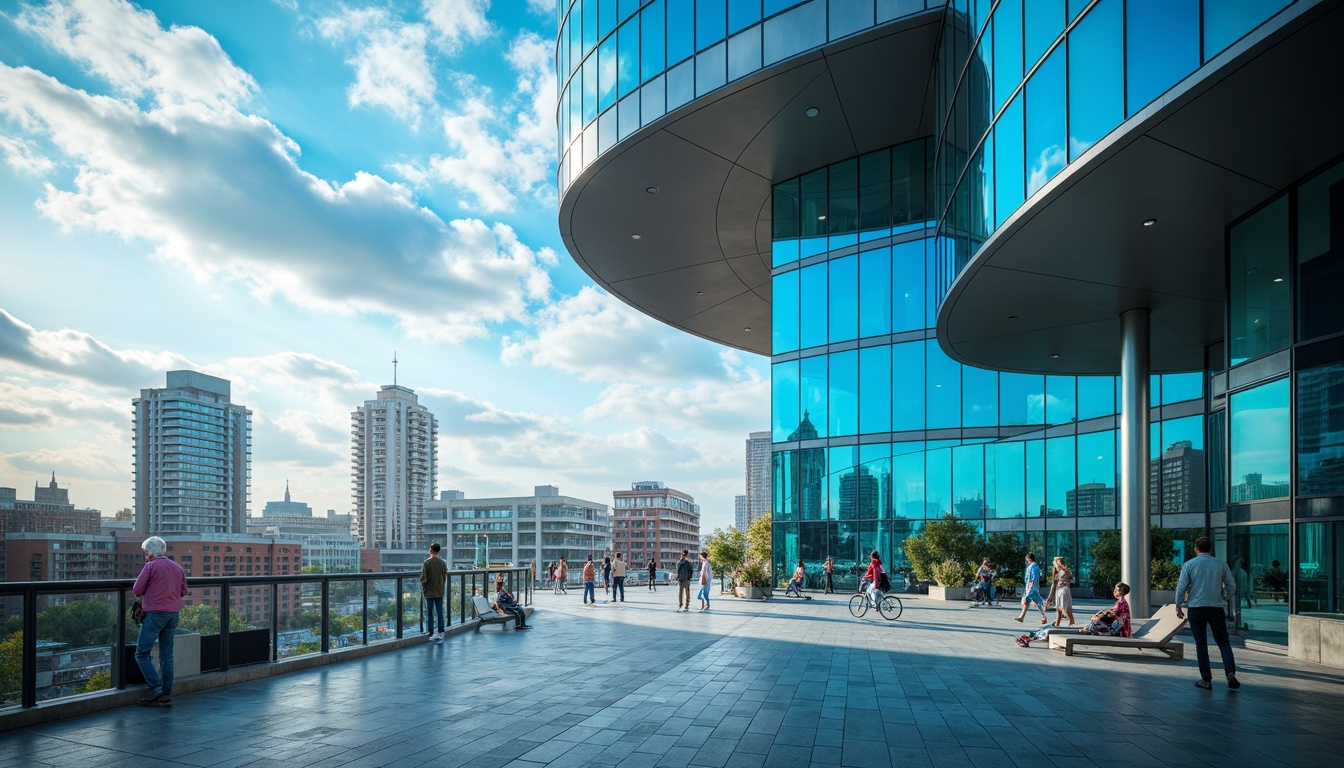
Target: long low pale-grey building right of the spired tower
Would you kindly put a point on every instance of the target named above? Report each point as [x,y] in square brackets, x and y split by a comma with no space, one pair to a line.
[542,529]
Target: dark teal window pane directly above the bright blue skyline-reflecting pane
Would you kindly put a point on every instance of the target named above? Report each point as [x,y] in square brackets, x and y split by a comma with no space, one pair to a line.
[1259,311]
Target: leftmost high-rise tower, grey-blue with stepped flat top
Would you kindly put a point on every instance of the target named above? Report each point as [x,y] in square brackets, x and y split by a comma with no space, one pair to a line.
[193,458]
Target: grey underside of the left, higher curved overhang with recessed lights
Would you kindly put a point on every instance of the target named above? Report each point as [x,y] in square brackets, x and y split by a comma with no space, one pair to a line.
[702,259]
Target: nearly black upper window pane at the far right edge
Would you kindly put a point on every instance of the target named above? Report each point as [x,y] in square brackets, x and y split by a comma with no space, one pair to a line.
[1320,268]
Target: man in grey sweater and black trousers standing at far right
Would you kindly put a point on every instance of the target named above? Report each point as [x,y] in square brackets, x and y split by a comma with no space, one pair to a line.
[1205,584]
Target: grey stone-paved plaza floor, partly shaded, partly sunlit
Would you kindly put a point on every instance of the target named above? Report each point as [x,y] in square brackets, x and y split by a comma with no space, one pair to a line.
[749,684]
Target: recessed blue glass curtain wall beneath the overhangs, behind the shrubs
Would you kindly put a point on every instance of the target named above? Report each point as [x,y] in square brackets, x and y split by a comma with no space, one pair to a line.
[877,431]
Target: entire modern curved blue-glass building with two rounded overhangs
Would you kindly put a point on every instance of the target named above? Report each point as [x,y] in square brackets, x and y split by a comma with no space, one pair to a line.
[1053,267]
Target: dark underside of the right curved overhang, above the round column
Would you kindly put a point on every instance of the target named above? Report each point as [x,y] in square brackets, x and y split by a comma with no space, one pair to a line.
[1057,276]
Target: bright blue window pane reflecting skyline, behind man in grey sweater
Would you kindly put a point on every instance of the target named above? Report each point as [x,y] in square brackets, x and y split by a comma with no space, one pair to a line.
[1260,443]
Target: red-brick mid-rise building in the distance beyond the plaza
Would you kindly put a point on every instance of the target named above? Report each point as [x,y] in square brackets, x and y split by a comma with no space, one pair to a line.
[654,521]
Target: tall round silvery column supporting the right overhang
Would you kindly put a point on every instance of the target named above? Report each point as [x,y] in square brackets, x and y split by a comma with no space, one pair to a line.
[1135,367]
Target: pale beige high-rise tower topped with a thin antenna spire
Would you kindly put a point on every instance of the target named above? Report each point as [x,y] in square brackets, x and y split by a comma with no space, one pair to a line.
[394,443]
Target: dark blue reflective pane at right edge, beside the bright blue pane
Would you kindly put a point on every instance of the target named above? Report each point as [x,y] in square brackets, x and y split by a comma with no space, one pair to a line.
[1320,430]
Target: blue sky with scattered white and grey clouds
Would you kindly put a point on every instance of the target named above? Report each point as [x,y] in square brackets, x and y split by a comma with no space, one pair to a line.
[290,193]
